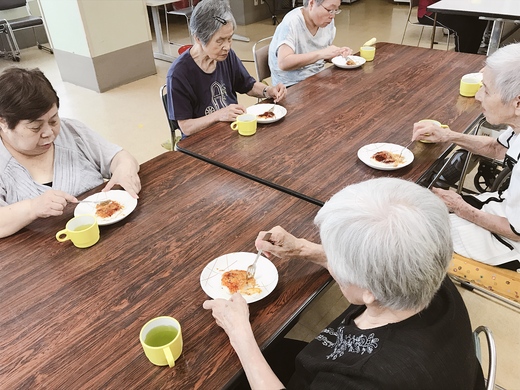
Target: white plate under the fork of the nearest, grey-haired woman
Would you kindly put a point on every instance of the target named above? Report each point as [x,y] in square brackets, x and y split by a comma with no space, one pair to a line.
[266,275]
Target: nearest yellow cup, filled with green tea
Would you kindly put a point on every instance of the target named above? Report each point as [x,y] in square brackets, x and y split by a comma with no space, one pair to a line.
[161,339]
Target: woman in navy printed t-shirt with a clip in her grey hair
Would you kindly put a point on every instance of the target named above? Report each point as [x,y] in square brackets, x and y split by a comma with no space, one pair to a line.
[203,82]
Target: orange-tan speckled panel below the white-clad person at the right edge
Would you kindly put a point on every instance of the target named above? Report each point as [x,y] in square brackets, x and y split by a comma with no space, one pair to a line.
[498,281]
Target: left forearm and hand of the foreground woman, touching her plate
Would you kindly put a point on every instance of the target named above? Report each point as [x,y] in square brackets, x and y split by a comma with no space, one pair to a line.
[233,316]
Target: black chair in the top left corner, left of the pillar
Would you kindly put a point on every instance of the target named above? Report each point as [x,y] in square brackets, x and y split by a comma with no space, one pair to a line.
[8,27]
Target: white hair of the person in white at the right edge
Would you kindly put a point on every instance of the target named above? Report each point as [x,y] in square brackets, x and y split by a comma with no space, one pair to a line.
[504,64]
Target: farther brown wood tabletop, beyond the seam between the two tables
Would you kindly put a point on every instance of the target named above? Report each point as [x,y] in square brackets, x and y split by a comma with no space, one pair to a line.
[312,152]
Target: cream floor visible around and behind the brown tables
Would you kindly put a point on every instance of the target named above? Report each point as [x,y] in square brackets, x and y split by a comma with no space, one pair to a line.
[132,116]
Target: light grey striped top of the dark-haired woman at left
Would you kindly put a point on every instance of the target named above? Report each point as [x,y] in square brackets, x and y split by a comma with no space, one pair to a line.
[82,160]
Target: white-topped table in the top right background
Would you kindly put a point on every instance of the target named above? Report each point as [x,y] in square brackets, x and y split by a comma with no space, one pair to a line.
[495,10]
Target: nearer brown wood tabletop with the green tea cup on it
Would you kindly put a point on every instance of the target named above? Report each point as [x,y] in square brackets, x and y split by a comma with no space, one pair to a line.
[70,318]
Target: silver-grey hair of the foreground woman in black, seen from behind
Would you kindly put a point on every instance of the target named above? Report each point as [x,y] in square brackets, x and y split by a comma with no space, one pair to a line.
[389,236]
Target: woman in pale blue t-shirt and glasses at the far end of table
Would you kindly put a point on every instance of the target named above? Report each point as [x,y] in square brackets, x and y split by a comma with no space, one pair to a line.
[302,42]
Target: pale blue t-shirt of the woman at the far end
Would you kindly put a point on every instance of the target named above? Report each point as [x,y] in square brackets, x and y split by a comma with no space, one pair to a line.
[293,32]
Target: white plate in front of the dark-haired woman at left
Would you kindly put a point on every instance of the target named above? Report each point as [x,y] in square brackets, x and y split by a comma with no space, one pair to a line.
[120,196]
